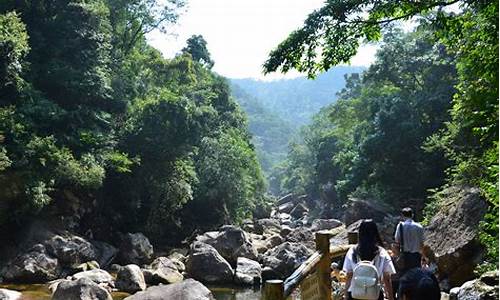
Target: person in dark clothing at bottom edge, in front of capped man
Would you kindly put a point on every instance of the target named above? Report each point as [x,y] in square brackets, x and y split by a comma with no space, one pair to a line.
[418,284]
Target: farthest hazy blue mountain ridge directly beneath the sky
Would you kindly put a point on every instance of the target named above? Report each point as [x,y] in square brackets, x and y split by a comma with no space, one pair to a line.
[297,100]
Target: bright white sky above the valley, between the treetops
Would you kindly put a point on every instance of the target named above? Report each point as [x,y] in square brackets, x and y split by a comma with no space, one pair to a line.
[241,33]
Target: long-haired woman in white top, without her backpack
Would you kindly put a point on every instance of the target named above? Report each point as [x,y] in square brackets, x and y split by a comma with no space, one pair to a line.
[369,248]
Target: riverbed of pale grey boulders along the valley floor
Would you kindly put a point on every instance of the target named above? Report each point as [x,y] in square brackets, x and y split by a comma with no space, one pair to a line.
[233,261]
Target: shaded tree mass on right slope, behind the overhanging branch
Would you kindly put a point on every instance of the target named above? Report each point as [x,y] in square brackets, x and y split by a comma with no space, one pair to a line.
[369,142]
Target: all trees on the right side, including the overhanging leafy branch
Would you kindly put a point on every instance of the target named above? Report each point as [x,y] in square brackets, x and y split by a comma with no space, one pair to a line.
[423,117]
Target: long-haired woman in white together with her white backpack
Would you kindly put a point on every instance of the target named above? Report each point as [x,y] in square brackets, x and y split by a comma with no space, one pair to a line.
[367,265]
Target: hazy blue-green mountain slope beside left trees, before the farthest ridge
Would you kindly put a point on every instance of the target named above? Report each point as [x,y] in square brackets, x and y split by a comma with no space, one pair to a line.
[270,132]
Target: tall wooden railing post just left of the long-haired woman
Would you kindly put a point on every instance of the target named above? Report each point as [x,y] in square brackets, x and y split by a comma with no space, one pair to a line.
[324,270]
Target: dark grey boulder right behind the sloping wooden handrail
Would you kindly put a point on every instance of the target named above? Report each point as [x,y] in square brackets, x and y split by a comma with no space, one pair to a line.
[285,258]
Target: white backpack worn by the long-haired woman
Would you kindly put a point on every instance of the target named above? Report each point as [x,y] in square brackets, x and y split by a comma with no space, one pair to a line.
[365,280]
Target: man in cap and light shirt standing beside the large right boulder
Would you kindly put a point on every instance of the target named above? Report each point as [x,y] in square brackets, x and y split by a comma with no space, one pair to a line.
[409,239]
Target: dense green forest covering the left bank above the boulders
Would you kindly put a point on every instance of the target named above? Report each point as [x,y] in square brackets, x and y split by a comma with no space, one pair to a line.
[100,132]
